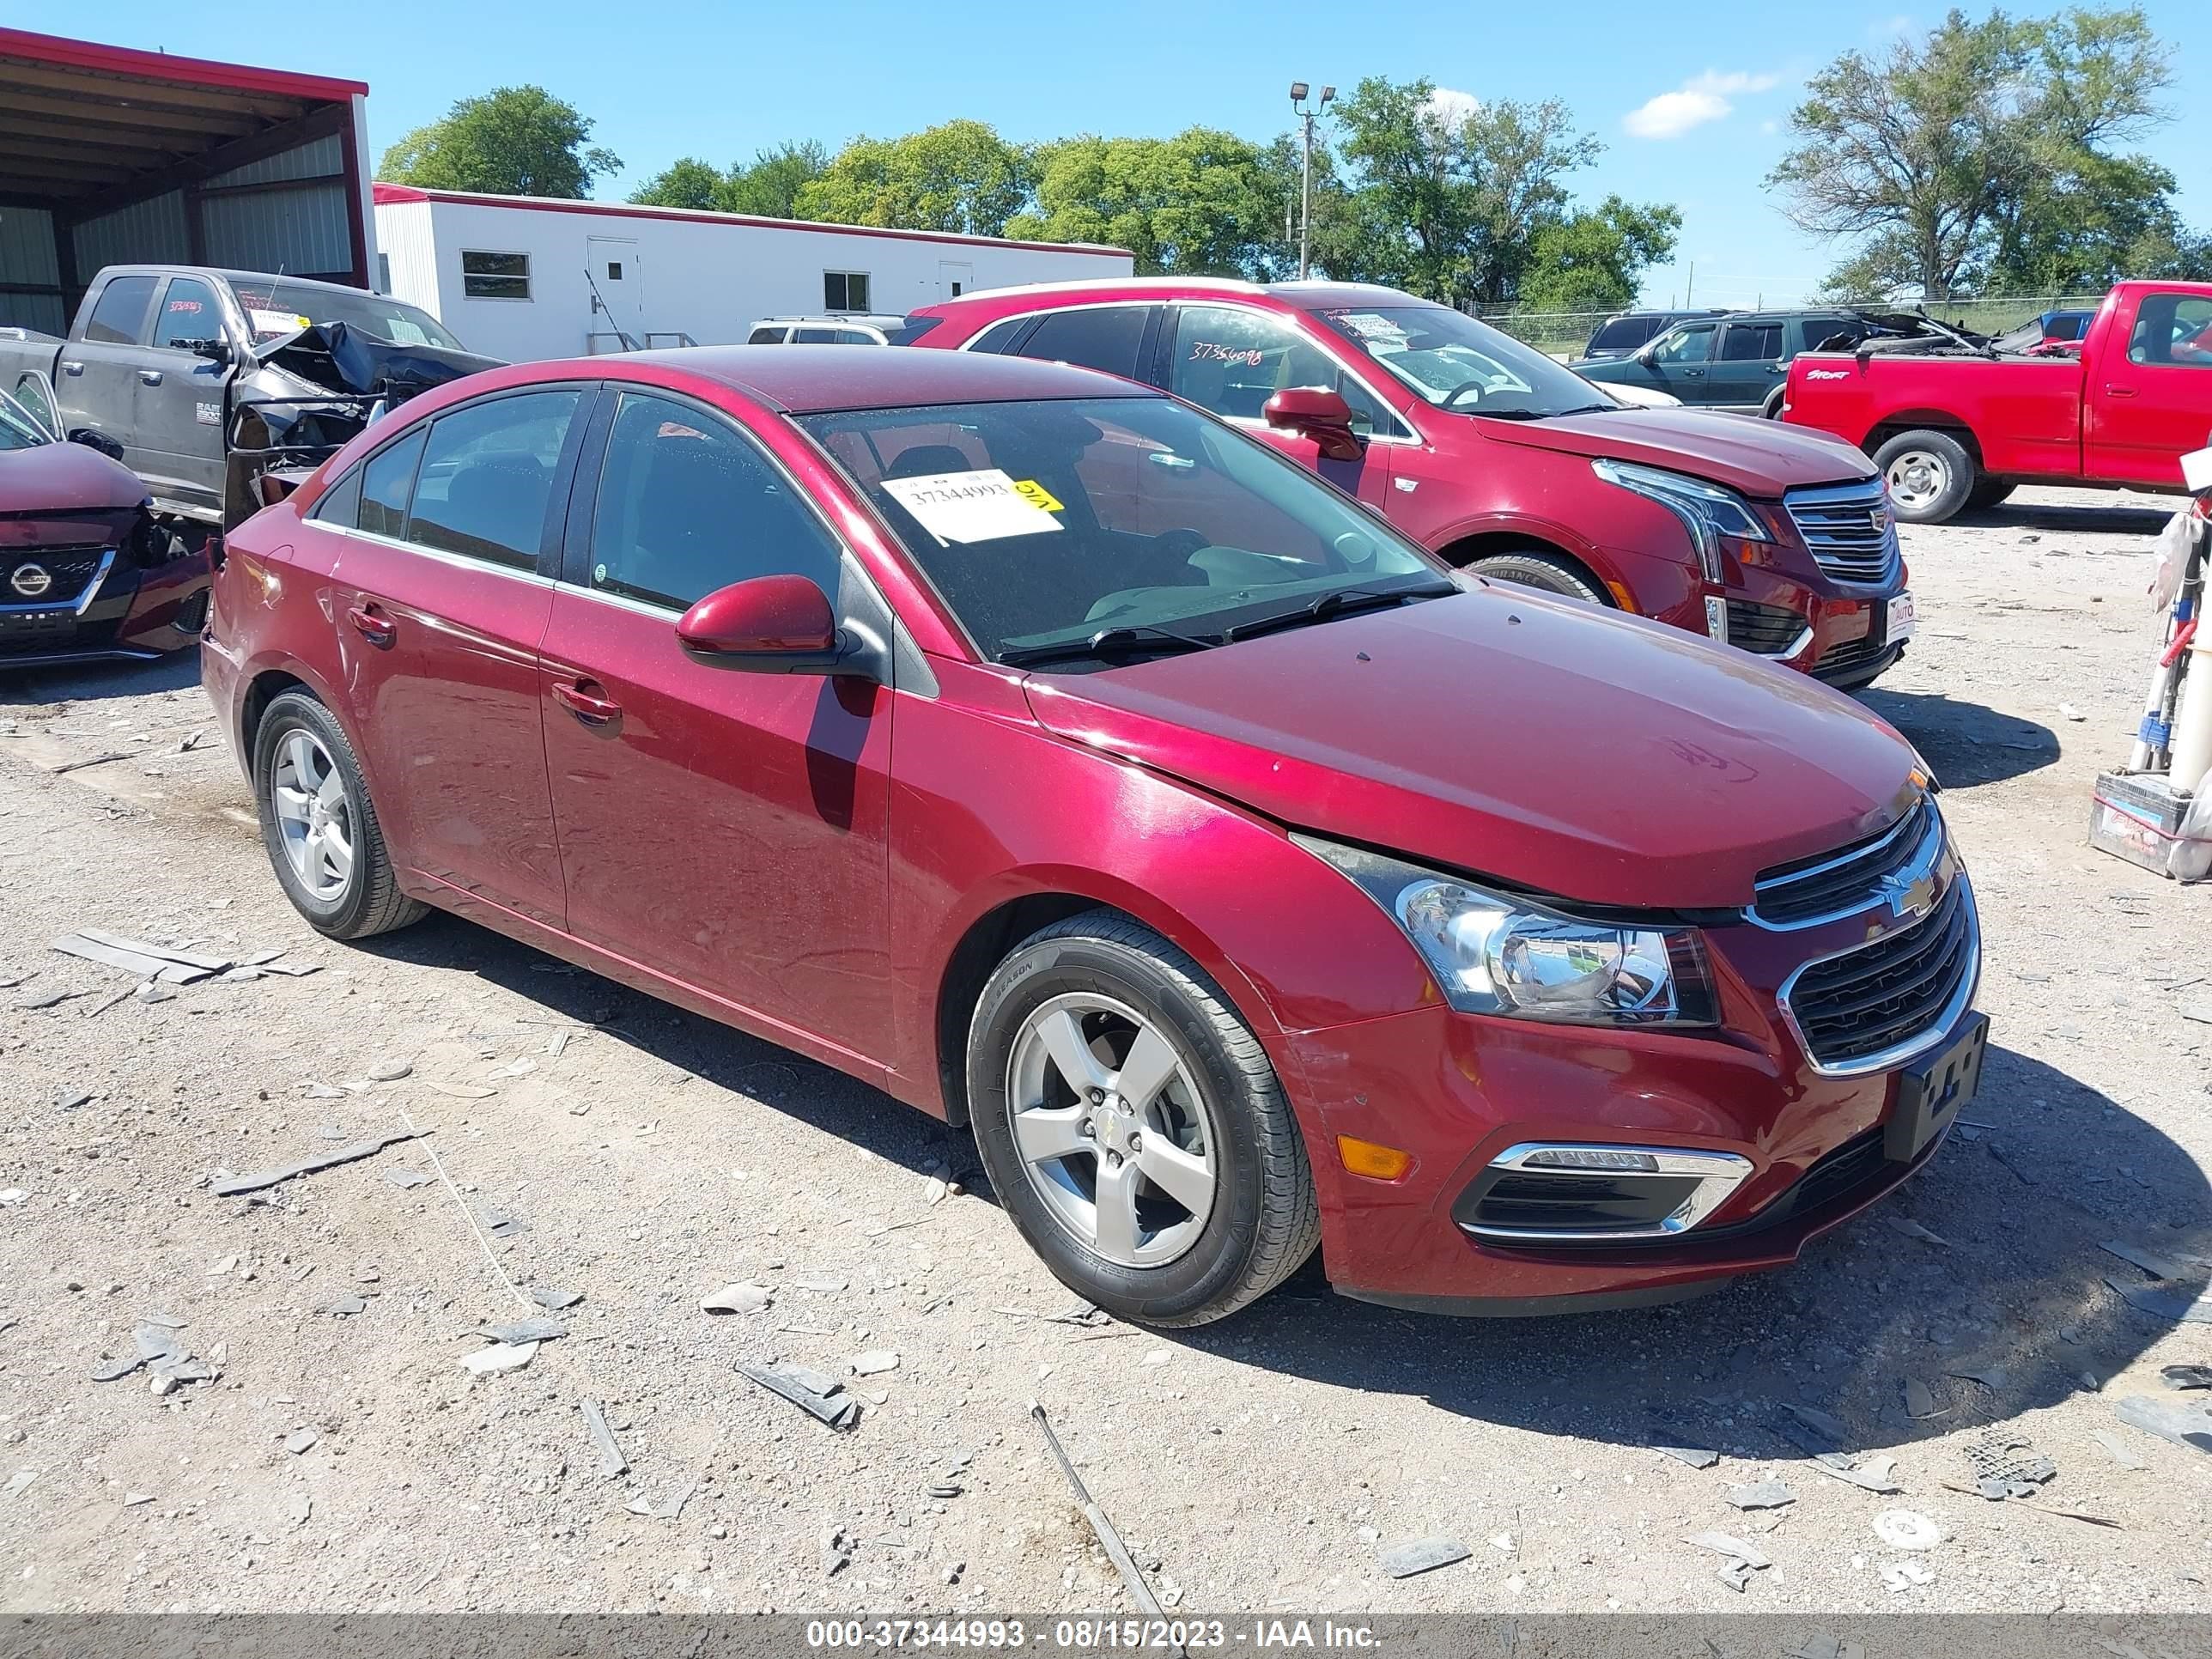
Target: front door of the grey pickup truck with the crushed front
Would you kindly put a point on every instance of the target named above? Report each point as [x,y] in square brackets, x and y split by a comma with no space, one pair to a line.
[180,395]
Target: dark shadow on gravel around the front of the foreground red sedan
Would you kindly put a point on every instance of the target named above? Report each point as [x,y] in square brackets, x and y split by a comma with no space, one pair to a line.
[2012,1291]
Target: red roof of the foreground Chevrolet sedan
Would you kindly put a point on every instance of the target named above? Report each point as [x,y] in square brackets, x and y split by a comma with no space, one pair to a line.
[811,379]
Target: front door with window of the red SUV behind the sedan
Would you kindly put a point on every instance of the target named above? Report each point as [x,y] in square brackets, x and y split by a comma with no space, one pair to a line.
[1231,359]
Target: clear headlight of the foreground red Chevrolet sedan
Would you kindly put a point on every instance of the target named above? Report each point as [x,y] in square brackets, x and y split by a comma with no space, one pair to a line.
[1501,954]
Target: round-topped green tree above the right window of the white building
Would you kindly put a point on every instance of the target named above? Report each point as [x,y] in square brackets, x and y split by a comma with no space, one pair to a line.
[959,176]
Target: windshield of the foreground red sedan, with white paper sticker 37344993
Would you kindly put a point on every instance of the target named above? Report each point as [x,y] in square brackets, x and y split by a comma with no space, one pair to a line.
[1050,528]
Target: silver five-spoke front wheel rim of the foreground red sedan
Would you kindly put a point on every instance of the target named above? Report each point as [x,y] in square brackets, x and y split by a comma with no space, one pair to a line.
[1112,1129]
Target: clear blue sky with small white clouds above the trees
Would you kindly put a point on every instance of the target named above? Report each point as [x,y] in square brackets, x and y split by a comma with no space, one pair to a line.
[1693,114]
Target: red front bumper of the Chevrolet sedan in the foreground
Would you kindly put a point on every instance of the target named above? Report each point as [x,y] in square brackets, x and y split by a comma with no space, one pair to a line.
[1461,1092]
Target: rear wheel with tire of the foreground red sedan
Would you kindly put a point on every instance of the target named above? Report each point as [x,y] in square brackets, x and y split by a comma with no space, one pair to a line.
[320,824]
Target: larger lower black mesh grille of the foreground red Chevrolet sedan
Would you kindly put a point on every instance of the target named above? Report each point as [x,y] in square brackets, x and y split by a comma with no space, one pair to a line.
[1875,1008]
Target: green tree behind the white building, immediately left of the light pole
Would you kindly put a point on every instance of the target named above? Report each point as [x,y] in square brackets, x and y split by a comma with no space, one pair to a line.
[1196,202]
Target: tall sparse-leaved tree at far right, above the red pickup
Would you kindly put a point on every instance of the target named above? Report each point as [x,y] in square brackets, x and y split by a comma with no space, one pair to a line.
[1983,156]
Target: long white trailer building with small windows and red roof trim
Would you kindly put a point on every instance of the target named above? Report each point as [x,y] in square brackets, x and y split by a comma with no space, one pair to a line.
[525,280]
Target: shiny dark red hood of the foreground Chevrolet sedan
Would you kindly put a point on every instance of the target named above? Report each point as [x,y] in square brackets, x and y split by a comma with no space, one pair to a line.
[1512,735]
